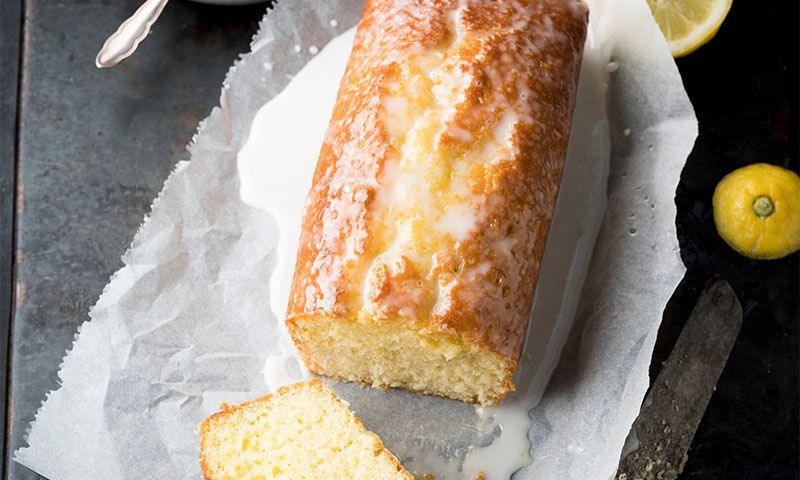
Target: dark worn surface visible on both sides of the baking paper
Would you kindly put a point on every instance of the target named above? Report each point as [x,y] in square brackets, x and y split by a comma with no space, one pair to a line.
[83,152]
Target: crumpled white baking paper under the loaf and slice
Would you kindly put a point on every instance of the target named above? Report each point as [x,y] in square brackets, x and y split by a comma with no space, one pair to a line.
[186,324]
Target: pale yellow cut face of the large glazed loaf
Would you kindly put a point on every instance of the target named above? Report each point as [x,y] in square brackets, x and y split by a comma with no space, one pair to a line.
[394,354]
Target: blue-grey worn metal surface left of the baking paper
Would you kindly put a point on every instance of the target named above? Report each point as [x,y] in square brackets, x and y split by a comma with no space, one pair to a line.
[94,148]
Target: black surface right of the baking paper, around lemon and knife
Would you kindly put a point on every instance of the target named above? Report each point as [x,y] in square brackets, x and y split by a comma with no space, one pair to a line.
[744,87]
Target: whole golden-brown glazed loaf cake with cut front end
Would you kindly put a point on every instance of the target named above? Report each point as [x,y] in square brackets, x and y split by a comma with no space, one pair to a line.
[431,201]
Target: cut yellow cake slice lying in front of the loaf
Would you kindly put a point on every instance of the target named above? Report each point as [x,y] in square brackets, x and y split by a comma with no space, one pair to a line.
[302,431]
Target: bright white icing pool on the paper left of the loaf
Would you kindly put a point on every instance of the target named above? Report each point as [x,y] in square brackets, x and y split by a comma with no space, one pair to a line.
[277,162]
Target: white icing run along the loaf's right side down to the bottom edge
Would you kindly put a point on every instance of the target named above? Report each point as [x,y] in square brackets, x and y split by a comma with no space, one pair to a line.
[576,221]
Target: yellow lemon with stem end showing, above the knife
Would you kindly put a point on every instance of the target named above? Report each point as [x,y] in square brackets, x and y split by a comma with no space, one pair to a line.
[757,211]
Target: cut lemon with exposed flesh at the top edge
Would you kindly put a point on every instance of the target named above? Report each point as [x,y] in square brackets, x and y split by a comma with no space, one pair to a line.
[689,24]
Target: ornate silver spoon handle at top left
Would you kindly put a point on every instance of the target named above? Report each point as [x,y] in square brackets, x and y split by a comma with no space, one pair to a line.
[122,43]
